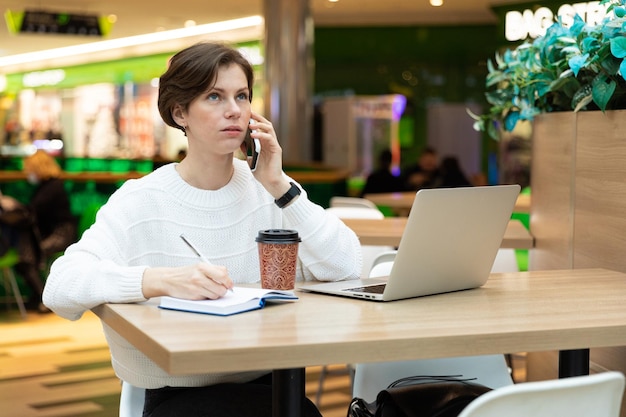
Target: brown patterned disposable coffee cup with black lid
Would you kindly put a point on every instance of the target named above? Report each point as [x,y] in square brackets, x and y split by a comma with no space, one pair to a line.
[278,255]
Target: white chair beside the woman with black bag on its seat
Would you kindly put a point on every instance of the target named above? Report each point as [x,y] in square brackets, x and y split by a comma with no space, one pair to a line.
[370,378]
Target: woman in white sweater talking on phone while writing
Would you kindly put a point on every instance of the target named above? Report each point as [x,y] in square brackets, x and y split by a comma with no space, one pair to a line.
[133,251]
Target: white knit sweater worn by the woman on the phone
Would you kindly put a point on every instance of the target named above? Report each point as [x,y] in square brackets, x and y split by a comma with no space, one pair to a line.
[139,227]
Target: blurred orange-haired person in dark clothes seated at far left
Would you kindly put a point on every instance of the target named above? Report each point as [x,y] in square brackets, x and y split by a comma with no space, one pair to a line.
[48,225]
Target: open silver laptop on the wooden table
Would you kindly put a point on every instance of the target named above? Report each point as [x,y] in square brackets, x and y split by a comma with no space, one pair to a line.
[449,244]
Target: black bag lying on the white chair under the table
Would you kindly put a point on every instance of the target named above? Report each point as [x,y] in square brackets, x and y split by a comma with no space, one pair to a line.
[420,396]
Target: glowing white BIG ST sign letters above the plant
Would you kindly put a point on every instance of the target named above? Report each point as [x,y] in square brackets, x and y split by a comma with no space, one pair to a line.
[534,23]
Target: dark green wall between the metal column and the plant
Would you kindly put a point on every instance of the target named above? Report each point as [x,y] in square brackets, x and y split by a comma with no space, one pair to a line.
[426,64]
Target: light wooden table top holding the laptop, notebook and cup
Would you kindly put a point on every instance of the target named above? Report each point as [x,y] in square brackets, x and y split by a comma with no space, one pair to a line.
[512,312]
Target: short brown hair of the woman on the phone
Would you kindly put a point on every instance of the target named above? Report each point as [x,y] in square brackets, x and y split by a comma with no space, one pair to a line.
[193,71]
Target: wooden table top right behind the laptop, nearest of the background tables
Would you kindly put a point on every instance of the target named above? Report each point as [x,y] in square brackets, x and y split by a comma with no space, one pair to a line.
[388,232]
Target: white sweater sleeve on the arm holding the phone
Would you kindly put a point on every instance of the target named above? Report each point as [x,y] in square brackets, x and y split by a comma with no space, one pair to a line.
[329,251]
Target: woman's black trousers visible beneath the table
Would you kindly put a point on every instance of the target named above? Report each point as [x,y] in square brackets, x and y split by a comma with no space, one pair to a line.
[251,399]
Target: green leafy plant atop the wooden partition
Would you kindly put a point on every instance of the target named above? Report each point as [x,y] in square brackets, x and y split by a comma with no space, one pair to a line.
[579,67]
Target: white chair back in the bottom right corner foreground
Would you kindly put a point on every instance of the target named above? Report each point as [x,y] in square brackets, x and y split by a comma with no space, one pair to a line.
[598,395]
